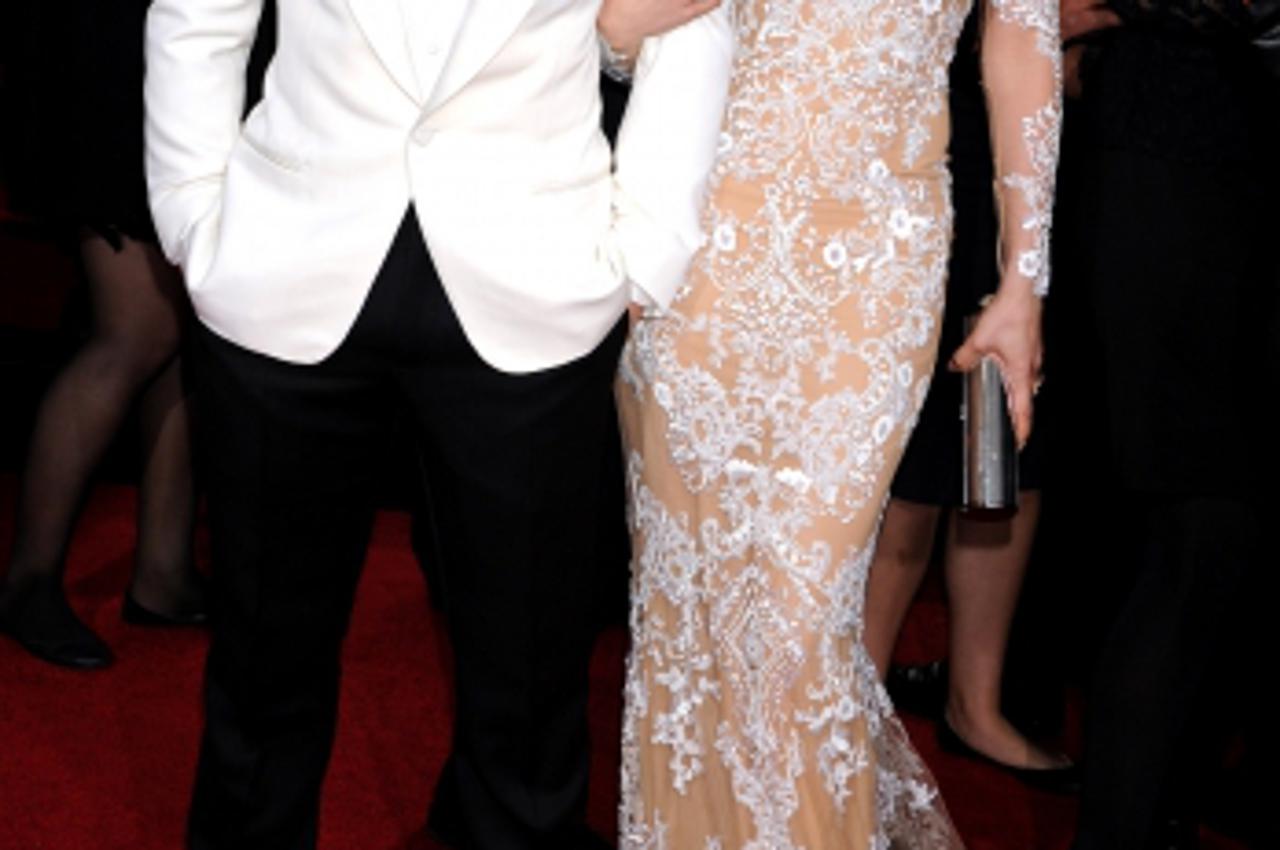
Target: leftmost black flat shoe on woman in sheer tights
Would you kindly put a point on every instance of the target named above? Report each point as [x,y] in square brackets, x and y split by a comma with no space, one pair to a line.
[40,619]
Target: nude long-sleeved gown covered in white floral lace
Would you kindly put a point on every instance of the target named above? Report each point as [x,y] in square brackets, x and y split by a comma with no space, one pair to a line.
[766,412]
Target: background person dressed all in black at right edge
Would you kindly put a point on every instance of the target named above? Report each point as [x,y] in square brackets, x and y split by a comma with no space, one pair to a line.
[1172,226]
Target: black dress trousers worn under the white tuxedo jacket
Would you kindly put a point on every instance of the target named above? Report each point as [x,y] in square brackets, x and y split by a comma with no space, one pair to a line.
[515,483]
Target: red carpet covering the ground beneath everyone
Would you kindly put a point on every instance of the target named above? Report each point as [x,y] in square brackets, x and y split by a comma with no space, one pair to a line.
[104,761]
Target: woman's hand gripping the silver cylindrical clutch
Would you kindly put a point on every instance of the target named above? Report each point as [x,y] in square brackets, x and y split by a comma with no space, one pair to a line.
[1009,331]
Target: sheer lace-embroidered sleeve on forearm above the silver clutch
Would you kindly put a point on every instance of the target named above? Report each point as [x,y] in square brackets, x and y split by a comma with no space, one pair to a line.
[1022,66]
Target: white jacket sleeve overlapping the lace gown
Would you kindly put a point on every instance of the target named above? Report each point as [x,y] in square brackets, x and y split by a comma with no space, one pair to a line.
[666,149]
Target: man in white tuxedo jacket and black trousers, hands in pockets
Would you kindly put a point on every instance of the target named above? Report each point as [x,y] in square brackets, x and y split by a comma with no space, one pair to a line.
[420,211]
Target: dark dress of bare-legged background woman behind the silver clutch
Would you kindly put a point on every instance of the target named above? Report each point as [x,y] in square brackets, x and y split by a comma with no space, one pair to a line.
[931,472]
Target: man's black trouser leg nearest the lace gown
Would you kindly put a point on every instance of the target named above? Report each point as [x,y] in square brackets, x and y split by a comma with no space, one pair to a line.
[516,492]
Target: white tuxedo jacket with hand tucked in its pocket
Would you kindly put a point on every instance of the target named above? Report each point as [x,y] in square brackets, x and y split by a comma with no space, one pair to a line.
[482,113]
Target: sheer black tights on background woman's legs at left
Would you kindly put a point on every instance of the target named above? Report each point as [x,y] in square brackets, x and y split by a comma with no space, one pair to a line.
[139,308]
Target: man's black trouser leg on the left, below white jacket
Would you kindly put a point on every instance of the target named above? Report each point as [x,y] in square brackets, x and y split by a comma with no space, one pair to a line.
[289,482]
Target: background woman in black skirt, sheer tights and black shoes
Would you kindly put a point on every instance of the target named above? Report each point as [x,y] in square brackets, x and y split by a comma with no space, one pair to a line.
[76,159]
